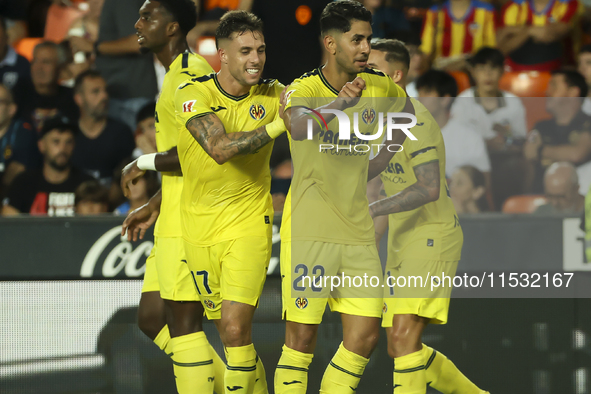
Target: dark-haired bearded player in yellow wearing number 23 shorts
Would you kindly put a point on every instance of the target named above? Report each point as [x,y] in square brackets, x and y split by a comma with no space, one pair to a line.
[326,228]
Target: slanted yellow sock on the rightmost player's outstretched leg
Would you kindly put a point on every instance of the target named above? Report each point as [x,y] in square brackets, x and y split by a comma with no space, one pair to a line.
[444,376]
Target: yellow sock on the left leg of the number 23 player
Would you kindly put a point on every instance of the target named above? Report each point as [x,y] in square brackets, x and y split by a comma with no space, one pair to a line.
[291,375]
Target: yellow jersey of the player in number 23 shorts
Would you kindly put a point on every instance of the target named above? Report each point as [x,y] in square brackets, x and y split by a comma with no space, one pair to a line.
[327,200]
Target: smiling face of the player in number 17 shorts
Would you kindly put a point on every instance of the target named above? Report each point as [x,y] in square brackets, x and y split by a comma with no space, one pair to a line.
[244,54]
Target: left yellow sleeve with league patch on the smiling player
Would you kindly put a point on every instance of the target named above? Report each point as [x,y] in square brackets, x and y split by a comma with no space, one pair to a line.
[191,100]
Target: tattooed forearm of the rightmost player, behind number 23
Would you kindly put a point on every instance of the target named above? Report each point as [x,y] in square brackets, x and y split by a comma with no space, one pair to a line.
[423,191]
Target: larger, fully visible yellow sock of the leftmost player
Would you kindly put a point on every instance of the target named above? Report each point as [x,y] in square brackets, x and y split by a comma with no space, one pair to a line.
[193,364]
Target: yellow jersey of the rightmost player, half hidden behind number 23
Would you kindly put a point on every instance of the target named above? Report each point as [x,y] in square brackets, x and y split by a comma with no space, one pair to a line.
[432,231]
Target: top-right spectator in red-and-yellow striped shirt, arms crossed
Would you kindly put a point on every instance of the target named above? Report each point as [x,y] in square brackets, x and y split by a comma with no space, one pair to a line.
[538,35]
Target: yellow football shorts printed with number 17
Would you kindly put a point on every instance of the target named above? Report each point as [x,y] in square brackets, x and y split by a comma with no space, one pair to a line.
[233,270]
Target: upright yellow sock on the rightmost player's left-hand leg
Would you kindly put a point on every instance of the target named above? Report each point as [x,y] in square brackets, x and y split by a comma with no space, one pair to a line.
[409,374]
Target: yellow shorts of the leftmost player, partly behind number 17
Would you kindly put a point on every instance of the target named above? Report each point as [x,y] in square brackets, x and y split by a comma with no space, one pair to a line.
[174,277]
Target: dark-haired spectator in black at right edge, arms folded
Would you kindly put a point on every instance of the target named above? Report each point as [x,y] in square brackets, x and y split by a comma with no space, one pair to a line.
[564,137]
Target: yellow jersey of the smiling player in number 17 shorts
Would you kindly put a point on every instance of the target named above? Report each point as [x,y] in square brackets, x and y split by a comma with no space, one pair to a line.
[232,200]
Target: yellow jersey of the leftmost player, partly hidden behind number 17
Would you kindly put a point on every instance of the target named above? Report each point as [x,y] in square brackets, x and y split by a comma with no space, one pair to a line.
[186,65]
